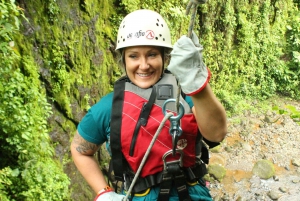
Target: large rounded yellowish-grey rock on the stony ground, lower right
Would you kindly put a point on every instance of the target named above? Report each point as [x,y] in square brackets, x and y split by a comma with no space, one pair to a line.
[264,169]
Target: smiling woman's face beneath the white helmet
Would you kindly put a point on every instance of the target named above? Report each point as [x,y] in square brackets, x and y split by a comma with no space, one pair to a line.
[144,65]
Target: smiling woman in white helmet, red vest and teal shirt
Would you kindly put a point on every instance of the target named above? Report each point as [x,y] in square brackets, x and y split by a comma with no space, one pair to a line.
[144,41]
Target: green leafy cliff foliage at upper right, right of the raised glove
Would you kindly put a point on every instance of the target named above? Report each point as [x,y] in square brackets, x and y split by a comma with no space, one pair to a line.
[244,46]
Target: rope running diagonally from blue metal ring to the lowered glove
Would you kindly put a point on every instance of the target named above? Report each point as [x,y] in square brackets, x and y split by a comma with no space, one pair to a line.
[167,116]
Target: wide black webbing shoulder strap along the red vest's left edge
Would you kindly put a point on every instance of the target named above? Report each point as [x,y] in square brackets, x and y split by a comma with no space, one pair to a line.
[115,128]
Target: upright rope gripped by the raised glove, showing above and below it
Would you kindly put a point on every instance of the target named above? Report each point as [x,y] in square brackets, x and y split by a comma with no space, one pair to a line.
[191,7]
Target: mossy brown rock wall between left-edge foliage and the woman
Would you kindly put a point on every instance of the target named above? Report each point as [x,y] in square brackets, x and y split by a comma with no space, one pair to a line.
[71,43]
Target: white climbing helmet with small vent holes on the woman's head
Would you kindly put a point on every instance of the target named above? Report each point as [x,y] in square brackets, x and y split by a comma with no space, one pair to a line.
[143,27]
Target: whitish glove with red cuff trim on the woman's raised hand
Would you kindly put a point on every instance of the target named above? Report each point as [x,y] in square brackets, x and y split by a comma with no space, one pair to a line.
[187,65]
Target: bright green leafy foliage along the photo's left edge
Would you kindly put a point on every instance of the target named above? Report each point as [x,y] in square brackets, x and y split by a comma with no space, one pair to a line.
[31,171]
